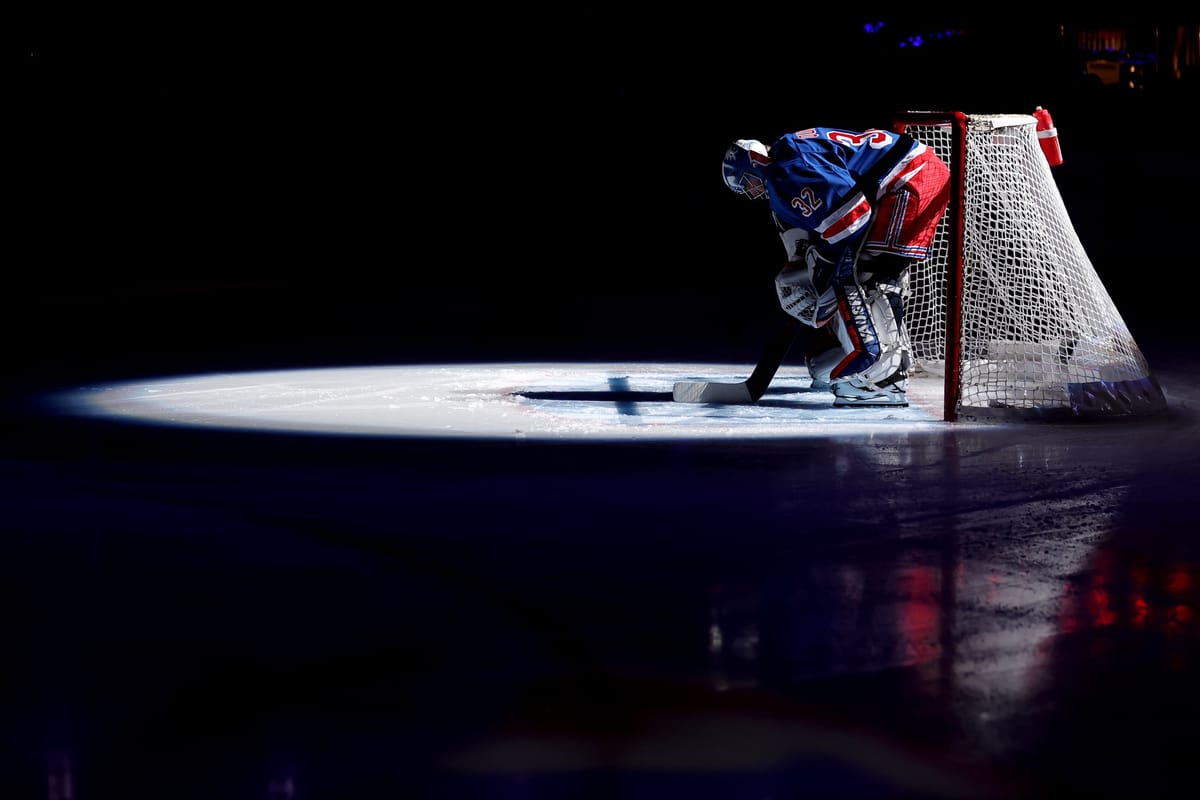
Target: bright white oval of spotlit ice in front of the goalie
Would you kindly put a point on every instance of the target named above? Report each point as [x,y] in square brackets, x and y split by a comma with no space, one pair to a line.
[533,401]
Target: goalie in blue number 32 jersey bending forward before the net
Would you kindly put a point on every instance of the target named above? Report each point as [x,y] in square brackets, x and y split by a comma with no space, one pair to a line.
[855,210]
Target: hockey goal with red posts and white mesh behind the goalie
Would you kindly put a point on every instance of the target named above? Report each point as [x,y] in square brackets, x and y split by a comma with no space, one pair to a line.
[1009,310]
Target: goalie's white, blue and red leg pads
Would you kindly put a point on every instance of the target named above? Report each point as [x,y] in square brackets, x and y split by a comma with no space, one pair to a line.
[867,336]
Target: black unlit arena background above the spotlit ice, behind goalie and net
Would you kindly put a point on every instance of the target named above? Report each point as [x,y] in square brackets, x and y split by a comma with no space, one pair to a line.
[225,188]
